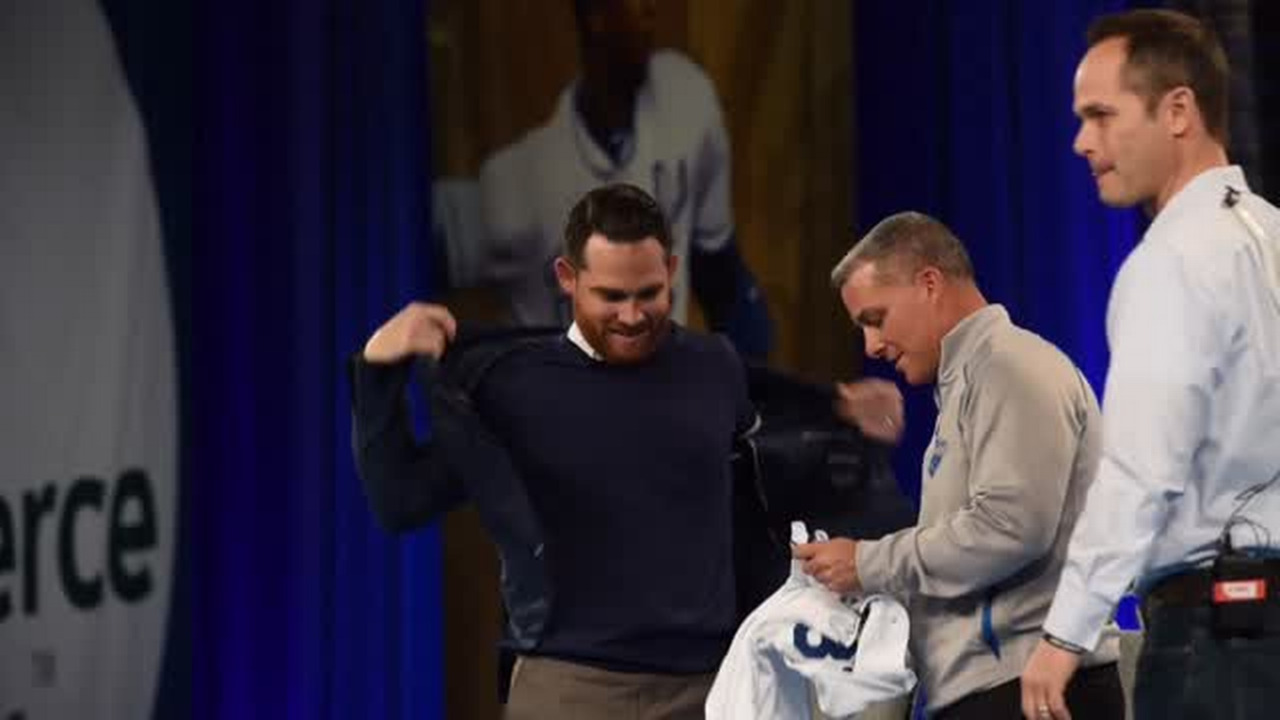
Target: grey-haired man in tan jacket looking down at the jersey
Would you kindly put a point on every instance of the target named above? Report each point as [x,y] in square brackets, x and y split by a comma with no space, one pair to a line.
[1014,450]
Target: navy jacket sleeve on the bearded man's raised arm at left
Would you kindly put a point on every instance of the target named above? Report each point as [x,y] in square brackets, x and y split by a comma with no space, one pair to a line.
[406,482]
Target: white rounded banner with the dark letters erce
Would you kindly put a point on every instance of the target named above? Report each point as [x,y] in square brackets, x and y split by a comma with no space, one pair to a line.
[88,414]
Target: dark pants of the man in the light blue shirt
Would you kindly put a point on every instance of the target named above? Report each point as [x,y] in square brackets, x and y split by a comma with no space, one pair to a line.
[1187,673]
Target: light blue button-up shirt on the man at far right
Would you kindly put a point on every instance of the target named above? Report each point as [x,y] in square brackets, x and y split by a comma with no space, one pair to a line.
[1191,416]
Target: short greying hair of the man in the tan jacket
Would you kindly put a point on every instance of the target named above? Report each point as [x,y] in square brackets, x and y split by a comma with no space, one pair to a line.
[903,244]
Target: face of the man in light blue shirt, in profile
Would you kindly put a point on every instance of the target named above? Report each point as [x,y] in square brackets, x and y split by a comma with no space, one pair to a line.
[1128,145]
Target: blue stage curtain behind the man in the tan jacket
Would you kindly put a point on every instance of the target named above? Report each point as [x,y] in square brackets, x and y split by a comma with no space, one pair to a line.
[964,112]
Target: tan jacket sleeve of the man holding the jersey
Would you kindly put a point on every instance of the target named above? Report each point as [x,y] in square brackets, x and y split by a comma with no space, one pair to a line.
[1023,435]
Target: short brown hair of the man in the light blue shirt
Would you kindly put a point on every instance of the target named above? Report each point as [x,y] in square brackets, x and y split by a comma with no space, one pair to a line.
[1168,49]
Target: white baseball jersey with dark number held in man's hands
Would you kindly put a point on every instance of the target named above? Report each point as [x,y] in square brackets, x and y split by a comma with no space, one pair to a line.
[804,637]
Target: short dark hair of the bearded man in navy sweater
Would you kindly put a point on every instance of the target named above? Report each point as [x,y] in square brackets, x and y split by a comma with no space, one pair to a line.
[621,213]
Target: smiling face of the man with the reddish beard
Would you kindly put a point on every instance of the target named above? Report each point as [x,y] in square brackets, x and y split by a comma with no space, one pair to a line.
[621,297]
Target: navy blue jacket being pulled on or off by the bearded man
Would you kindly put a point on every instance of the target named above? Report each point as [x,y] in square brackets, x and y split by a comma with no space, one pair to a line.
[801,464]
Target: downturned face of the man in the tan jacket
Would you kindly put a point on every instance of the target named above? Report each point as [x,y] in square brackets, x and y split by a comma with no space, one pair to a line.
[899,316]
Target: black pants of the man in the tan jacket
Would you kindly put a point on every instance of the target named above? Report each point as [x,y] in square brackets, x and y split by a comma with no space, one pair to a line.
[1095,694]
